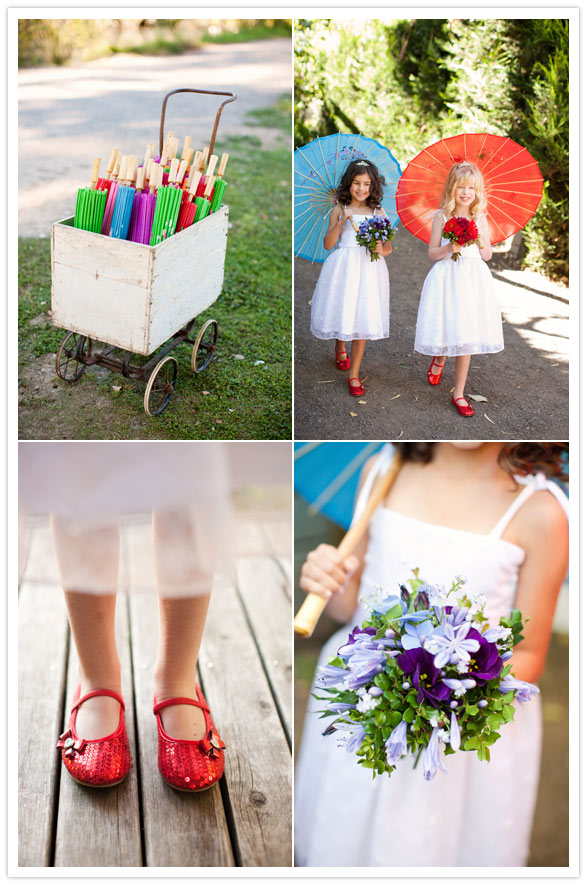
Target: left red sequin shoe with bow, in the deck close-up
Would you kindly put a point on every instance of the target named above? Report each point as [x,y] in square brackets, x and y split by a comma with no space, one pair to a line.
[96,762]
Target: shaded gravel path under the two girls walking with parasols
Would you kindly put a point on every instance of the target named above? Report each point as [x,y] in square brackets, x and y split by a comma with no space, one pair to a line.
[526,385]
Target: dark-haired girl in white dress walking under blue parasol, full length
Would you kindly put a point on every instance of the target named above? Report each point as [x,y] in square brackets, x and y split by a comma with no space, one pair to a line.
[351,299]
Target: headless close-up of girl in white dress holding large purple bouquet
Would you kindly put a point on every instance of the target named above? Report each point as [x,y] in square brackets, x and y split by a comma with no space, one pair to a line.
[487,512]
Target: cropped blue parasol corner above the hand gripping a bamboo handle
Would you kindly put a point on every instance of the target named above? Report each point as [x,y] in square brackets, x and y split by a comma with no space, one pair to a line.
[327,476]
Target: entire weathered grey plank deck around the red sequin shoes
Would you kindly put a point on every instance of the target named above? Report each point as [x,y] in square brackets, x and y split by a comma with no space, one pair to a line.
[244,666]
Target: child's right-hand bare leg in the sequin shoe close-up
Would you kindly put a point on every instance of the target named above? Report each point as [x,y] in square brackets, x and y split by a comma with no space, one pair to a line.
[181,620]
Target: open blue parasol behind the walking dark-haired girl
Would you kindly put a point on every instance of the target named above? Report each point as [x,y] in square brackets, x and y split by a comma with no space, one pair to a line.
[318,168]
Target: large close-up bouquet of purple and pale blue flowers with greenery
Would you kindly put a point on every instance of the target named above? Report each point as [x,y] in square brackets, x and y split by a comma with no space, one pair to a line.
[424,673]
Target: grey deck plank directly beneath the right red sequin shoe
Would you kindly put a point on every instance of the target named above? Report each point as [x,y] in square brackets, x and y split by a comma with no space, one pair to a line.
[181,830]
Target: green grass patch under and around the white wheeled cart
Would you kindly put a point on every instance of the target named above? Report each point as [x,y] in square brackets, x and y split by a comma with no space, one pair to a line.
[246,399]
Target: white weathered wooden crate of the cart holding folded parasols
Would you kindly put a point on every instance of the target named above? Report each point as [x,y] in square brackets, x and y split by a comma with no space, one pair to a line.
[131,295]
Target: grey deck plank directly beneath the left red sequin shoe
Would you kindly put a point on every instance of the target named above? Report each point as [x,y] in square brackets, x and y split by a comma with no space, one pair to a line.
[101,827]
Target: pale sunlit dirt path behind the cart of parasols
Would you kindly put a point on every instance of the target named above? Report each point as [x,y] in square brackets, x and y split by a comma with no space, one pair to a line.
[68,115]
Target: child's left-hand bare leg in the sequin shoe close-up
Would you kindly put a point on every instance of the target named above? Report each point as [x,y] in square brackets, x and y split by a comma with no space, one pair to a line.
[88,560]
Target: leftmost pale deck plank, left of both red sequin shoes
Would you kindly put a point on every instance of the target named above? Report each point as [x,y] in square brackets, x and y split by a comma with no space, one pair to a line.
[41,681]
